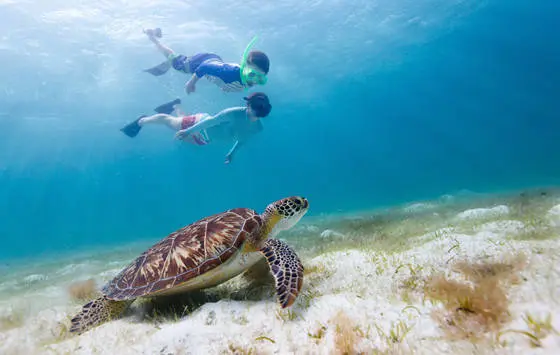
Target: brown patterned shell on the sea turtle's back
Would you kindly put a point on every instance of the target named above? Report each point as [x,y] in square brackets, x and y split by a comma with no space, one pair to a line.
[185,254]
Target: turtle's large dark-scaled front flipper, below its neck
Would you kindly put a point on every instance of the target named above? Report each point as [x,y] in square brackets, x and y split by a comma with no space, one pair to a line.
[286,268]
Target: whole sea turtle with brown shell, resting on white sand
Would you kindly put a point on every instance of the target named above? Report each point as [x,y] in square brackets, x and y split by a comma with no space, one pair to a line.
[205,254]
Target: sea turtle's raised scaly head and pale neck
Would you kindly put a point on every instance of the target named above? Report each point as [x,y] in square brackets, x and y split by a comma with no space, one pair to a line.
[284,214]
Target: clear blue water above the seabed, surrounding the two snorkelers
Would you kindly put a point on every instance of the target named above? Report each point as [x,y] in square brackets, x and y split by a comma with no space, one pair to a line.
[374,103]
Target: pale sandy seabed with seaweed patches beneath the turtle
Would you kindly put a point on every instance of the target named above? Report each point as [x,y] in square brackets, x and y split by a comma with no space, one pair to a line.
[481,277]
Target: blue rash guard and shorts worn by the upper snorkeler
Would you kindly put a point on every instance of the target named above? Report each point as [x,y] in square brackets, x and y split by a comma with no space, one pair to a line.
[227,76]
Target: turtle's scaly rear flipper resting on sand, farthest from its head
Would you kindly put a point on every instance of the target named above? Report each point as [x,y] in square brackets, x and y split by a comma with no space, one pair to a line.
[96,312]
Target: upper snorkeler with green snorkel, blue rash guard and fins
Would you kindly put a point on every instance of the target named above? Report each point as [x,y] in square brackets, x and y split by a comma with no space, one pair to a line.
[228,76]
